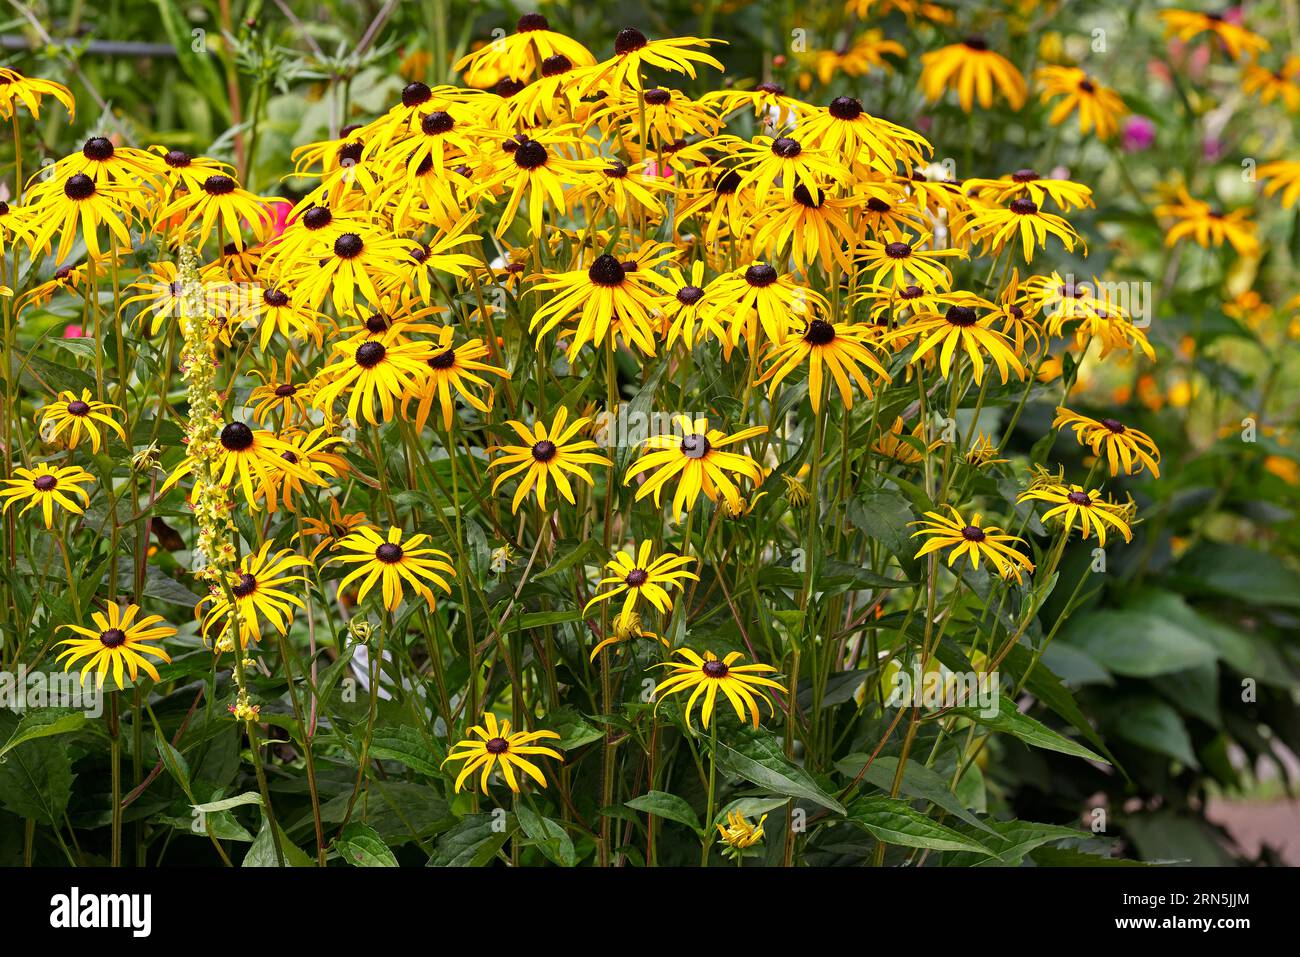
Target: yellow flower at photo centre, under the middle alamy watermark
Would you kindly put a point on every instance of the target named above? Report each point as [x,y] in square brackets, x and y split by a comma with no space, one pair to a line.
[697,461]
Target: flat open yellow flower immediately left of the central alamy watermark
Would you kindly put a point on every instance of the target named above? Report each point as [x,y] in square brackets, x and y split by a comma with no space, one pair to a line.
[547,456]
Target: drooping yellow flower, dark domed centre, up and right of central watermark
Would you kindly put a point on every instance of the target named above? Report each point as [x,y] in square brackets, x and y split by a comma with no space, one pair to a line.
[843,350]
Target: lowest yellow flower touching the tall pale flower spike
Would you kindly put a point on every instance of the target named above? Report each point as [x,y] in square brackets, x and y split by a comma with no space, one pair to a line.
[259,590]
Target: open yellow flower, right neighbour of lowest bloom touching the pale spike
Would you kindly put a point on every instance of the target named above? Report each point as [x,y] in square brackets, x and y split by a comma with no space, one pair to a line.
[395,564]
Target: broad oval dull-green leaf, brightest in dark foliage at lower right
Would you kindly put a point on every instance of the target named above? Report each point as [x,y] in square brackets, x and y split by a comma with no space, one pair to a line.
[1138,644]
